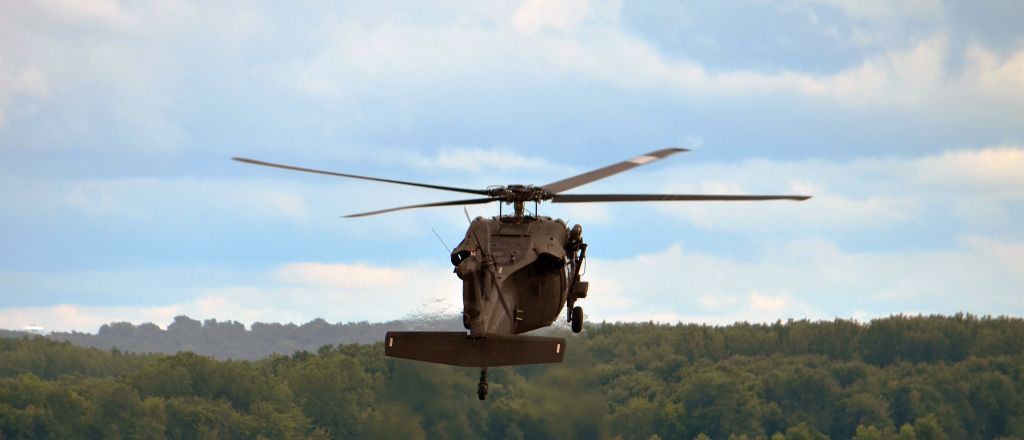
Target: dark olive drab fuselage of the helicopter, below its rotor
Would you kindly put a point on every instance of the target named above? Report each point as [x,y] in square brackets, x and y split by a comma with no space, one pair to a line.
[520,283]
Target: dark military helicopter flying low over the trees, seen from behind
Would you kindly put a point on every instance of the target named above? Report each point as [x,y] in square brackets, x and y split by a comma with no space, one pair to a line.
[519,271]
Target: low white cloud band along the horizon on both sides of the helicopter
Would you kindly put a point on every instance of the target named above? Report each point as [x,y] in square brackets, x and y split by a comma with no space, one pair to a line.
[801,279]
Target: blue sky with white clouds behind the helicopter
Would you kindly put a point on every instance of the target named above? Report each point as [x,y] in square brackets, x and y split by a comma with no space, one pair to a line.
[904,119]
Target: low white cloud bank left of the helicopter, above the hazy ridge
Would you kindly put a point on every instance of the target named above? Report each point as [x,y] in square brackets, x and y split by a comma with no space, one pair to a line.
[291,293]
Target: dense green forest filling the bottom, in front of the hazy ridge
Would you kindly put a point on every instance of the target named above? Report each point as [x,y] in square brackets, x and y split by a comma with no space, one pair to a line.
[899,378]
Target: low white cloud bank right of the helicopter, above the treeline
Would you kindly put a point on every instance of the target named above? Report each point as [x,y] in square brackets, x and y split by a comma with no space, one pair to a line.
[807,280]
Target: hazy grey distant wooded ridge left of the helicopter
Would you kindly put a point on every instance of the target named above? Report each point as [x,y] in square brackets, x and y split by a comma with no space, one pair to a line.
[231,340]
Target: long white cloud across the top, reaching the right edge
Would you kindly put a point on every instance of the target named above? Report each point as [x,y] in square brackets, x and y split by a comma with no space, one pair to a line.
[914,76]
